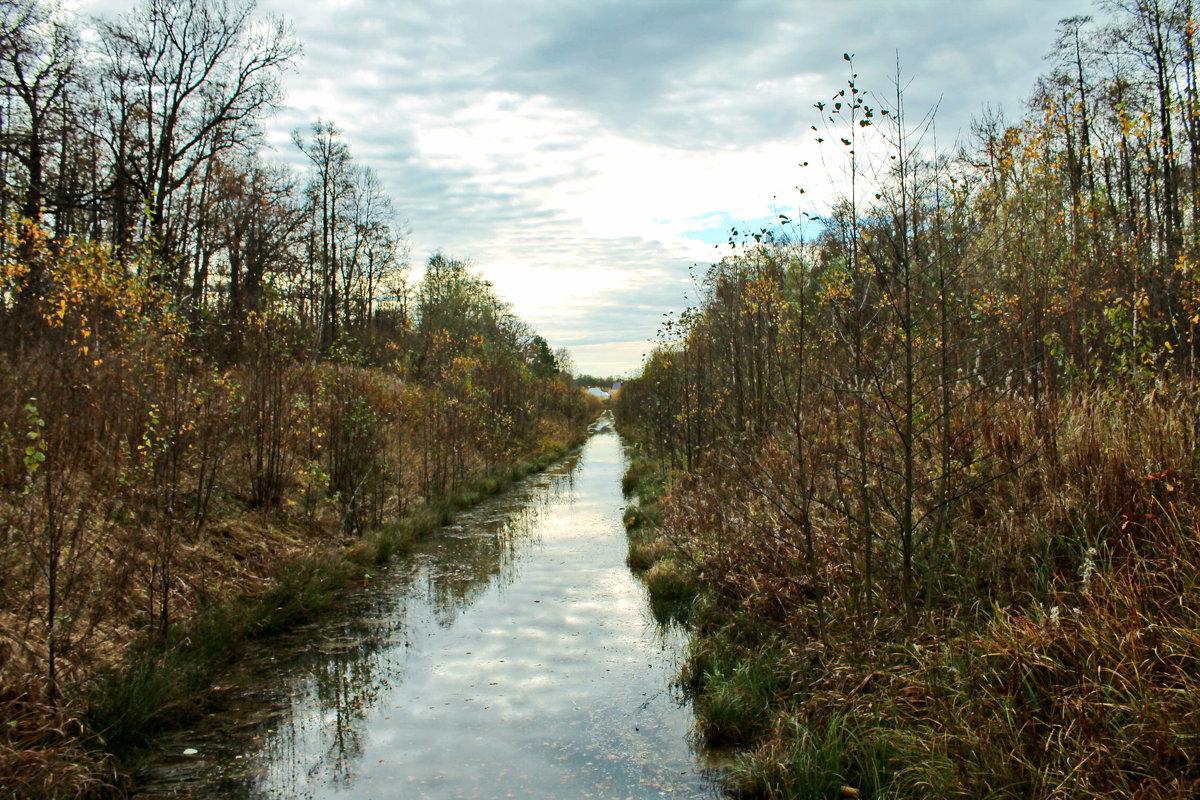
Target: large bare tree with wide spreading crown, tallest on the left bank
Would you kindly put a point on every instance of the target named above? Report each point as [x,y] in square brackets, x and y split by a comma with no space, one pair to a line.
[188,80]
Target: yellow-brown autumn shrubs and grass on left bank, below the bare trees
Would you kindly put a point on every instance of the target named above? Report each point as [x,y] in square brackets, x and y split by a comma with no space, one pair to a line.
[146,479]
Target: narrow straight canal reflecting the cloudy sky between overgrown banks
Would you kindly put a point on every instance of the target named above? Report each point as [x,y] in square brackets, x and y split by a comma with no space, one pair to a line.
[512,655]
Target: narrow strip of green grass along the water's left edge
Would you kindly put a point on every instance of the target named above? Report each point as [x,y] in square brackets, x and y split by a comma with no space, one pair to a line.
[165,684]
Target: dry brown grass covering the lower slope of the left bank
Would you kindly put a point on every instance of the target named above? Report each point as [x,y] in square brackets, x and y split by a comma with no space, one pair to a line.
[110,598]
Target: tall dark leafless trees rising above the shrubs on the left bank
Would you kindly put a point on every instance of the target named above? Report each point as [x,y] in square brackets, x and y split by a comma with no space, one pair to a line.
[147,135]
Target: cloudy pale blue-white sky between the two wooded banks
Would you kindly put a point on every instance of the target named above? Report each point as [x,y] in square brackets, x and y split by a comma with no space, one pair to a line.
[591,157]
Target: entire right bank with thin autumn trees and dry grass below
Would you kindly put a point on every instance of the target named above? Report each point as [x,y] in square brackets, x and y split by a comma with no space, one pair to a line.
[934,470]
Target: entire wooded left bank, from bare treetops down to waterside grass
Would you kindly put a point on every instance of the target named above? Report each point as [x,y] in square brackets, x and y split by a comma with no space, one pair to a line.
[223,395]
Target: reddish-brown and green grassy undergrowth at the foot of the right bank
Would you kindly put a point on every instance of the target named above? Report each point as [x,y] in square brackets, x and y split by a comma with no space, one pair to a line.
[1061,658]
